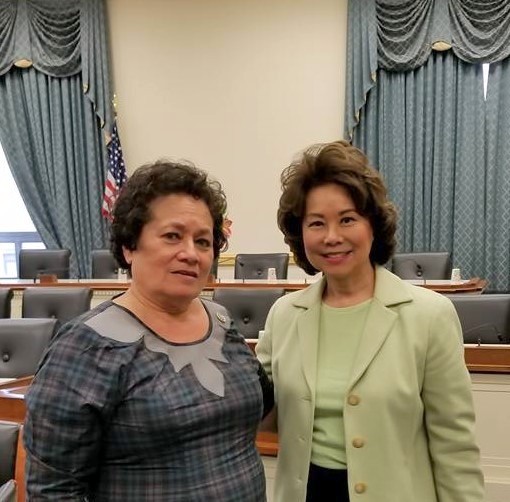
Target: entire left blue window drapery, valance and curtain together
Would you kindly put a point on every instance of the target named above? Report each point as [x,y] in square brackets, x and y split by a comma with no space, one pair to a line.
[57,117]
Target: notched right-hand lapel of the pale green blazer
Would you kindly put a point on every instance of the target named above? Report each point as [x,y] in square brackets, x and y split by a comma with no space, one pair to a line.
[380,320]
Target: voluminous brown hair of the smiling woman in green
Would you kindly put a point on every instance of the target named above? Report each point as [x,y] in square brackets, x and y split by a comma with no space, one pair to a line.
[342,164]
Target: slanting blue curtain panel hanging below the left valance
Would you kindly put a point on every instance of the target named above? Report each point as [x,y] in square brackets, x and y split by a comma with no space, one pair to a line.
[51,137]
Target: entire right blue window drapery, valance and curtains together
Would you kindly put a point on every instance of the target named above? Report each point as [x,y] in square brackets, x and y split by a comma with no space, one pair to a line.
[421,117]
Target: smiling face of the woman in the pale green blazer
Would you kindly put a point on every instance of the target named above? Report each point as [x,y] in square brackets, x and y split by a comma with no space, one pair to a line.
[337,239]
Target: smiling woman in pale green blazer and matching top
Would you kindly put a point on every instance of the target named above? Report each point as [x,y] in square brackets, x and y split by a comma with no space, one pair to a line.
[373,396]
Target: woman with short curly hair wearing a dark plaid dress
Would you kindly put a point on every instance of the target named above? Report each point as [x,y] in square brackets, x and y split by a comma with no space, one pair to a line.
[153,396]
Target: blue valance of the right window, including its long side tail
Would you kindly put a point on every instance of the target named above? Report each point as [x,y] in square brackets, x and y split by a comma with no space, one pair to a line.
[399,35]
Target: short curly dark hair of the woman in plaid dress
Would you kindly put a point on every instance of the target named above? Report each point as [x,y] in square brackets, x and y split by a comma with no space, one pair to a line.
[131,210]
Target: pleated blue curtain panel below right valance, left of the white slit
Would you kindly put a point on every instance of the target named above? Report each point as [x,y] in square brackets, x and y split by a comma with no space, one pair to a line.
[424,129]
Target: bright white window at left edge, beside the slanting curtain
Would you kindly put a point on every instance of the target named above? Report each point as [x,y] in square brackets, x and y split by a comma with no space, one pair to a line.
[16,228]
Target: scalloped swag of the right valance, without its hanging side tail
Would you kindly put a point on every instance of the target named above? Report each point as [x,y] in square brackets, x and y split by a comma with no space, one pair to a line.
[478,31]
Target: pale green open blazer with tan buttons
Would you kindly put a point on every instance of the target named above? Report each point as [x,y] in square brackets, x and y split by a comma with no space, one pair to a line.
[409,418]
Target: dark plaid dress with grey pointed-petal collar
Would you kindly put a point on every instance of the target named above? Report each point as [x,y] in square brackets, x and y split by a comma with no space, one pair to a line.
[115,413]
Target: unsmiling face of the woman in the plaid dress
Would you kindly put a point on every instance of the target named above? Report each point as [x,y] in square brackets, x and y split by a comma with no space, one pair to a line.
[174,252]
